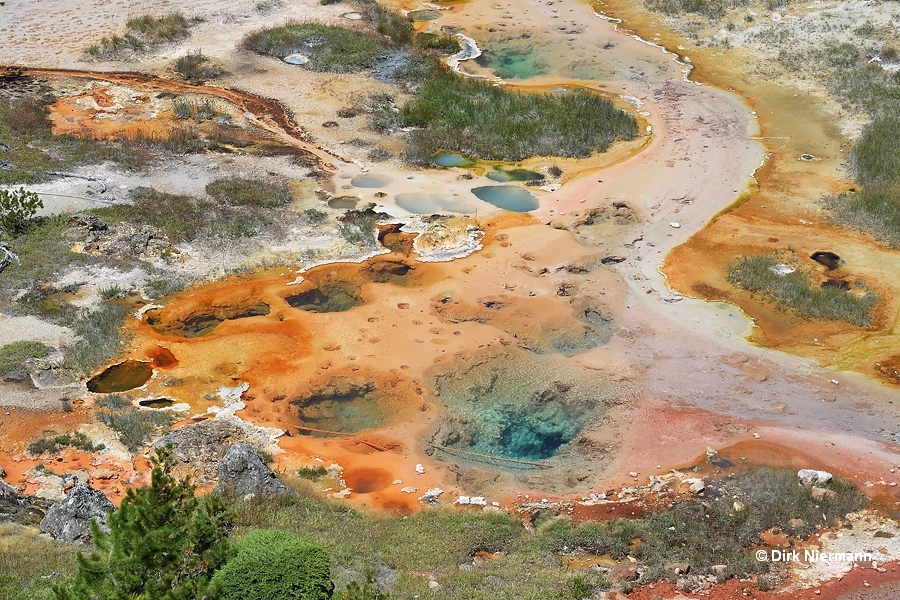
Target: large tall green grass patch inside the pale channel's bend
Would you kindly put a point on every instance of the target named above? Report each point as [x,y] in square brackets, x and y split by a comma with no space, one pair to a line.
[493,123]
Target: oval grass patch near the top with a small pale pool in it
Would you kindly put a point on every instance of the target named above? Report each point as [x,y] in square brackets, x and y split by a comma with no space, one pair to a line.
[329,48]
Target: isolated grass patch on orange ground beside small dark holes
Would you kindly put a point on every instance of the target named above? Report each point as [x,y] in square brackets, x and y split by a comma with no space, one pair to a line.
[796,292]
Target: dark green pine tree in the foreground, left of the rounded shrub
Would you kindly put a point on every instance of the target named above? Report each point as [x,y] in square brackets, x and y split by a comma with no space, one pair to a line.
[163,544]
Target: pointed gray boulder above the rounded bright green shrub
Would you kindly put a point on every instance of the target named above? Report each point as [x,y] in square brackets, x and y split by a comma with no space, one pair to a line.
[244,474]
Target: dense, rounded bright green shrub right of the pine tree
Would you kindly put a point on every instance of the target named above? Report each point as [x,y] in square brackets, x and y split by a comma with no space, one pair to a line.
[276,565]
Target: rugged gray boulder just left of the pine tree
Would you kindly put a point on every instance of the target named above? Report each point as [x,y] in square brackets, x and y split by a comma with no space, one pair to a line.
[69,520]
